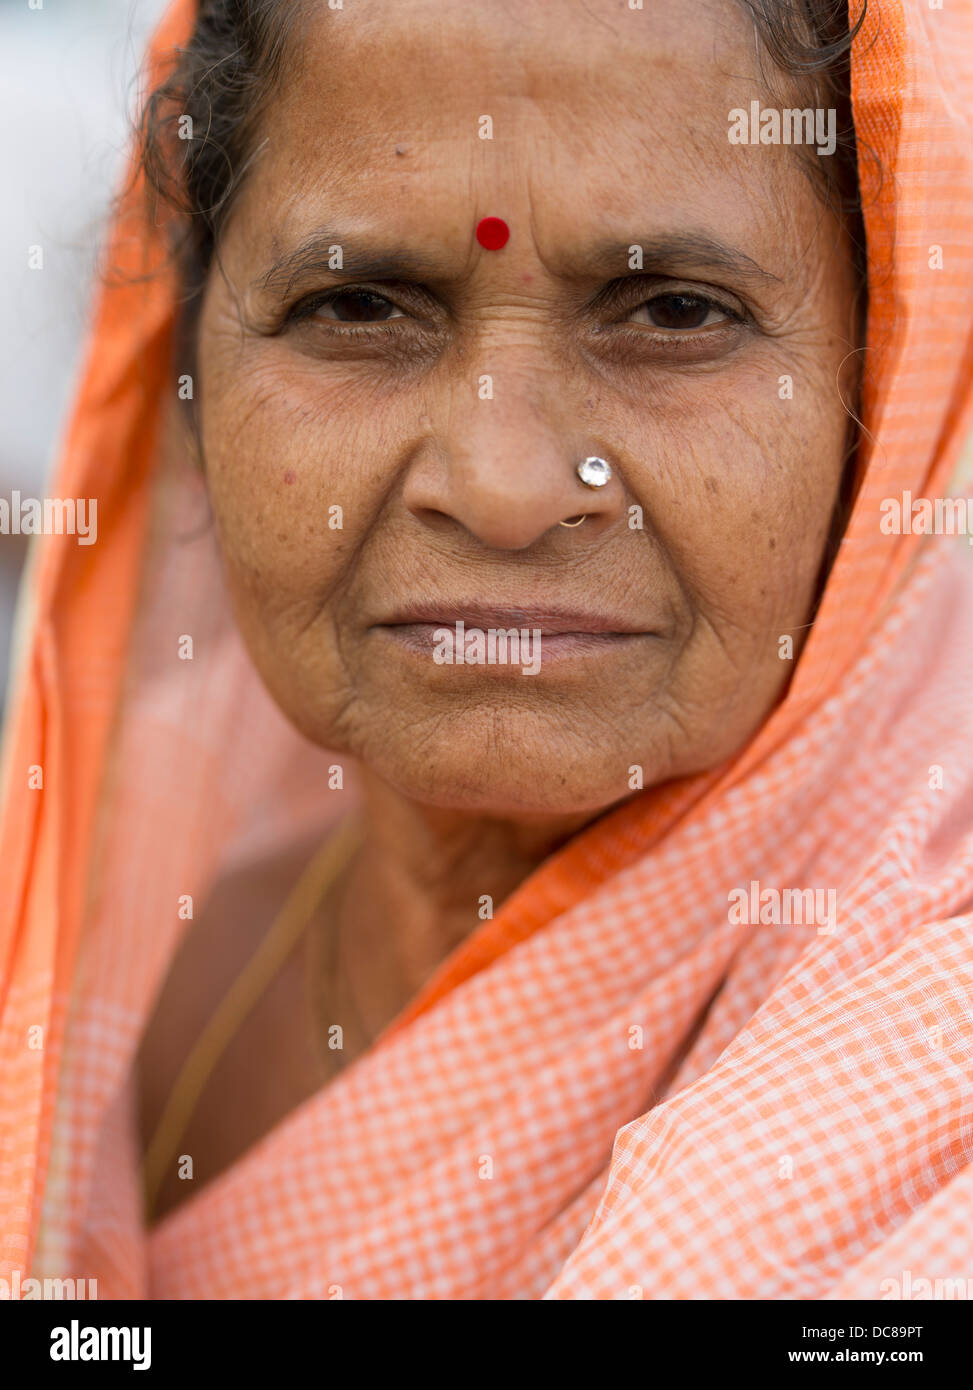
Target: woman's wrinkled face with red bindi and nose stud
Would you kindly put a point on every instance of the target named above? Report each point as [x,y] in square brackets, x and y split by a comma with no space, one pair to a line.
[441,395]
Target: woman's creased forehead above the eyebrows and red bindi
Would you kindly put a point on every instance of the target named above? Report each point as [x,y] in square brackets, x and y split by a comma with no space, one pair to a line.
[575,117]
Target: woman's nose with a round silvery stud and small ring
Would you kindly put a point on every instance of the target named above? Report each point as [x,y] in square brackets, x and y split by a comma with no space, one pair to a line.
[507,469]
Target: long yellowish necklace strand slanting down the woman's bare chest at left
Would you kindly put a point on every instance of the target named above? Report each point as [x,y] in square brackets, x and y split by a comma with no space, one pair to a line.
[263,967]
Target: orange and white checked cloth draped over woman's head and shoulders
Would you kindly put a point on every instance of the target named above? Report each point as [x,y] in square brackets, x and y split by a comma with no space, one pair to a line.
[522,1129]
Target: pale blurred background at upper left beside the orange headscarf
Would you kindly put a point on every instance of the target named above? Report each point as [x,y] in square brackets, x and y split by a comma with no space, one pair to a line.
[67,97]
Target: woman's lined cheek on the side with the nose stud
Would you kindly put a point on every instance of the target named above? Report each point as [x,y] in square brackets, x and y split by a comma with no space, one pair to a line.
[740,484]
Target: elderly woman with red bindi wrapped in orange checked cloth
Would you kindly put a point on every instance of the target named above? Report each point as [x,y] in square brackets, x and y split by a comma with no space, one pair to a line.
[493,817]
